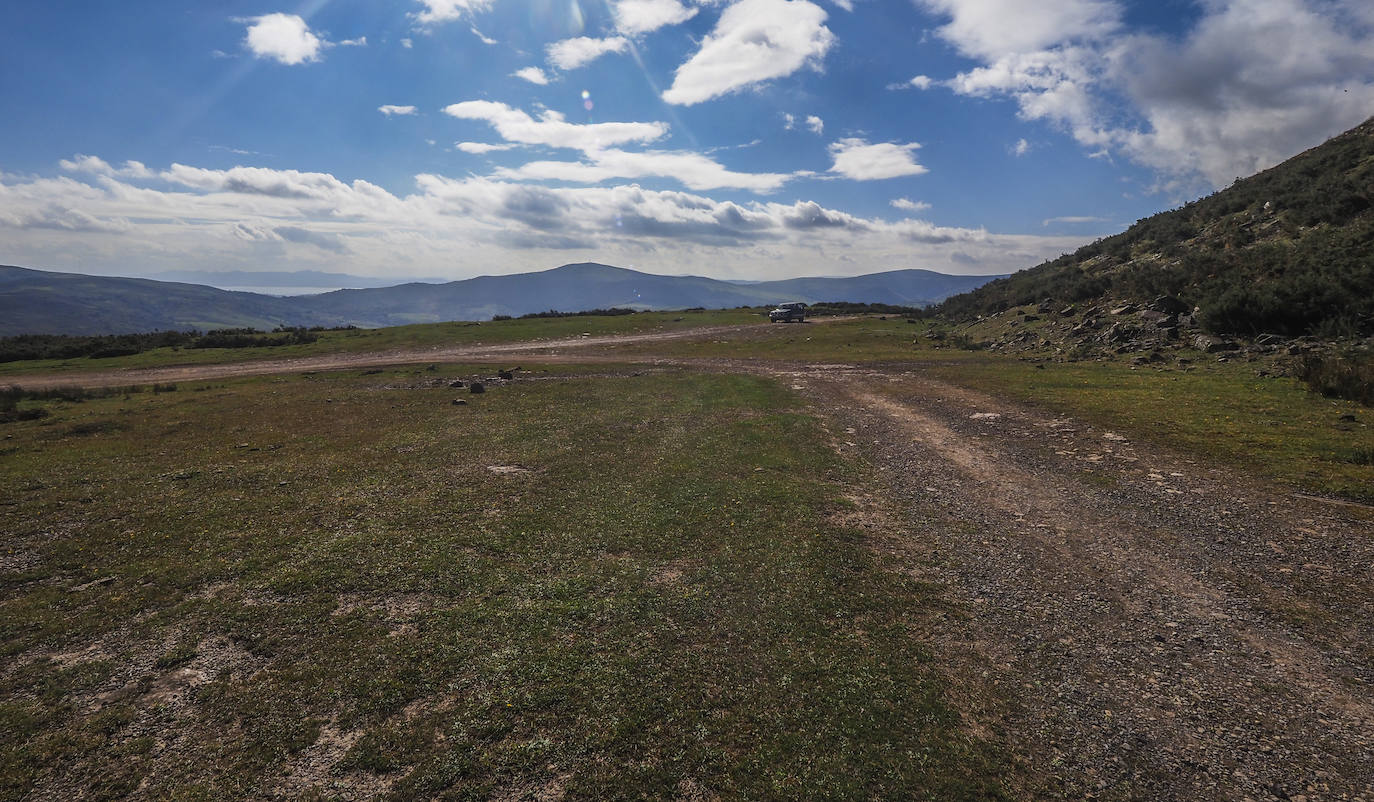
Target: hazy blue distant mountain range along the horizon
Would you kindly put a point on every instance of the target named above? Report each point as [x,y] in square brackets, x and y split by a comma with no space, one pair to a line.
[47,303]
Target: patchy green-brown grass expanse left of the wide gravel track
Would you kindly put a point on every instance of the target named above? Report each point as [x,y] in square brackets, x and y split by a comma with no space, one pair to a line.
[618,587]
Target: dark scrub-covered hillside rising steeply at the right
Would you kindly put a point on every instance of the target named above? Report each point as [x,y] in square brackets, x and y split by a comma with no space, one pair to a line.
[1287,252]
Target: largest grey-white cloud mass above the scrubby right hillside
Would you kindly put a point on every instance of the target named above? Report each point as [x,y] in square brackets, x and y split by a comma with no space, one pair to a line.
[1204,106]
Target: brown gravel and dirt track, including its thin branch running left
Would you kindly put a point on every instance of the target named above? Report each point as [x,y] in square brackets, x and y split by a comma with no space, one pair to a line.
[1130,623]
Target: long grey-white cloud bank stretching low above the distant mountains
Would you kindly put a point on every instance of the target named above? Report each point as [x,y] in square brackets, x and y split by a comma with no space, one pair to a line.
[236,219]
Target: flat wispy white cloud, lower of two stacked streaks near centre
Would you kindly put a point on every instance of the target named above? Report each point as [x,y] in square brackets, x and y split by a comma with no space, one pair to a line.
[693,171]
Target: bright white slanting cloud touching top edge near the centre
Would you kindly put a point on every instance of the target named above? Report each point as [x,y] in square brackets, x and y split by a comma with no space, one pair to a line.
[754,42]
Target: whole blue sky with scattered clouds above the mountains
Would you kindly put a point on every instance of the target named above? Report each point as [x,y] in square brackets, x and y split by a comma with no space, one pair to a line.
[747,139]
